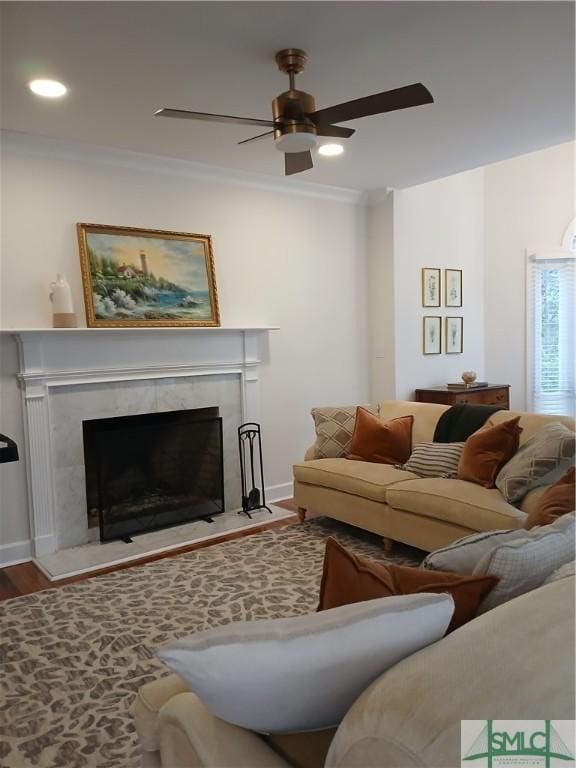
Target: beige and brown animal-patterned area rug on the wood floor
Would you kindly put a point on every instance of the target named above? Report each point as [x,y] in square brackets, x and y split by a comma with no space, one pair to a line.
[73,658]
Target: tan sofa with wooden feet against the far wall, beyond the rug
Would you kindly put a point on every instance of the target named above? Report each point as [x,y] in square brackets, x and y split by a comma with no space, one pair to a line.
[427,513]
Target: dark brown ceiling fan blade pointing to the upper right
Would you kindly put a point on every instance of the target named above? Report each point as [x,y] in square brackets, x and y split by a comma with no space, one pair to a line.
[388,101]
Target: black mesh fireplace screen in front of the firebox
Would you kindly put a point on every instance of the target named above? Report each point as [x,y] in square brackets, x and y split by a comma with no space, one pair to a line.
[153,471]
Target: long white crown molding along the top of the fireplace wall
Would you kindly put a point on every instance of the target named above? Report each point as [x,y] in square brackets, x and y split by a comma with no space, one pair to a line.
[17,142]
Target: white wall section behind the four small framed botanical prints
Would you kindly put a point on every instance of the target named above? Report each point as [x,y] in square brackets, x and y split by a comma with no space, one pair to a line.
[438,224]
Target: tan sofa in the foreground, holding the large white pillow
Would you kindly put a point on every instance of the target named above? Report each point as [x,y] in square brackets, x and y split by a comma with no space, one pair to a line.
[500,665]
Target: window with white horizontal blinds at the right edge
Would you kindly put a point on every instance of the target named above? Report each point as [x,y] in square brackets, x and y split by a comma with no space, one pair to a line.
[551,317]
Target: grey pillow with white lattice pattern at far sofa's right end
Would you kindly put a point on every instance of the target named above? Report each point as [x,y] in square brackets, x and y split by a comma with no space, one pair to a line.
[542,460]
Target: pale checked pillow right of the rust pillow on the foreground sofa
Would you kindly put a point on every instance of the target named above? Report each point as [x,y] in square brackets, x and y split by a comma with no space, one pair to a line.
[525,564]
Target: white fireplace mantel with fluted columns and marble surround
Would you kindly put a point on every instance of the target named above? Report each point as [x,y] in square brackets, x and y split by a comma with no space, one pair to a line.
[67,375]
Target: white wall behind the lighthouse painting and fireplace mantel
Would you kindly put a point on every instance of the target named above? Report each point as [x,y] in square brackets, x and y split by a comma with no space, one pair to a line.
[283,258]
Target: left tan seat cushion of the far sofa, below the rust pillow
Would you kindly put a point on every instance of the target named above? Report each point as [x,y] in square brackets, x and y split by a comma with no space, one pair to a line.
[360,478]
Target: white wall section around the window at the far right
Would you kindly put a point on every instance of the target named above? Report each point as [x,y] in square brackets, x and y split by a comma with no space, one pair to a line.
[529,202]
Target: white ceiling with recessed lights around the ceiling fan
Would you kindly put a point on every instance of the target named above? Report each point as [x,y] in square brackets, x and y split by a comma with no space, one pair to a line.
[501,73]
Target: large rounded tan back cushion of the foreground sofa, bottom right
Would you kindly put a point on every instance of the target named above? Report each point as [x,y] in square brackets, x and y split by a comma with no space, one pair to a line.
[517,659]
